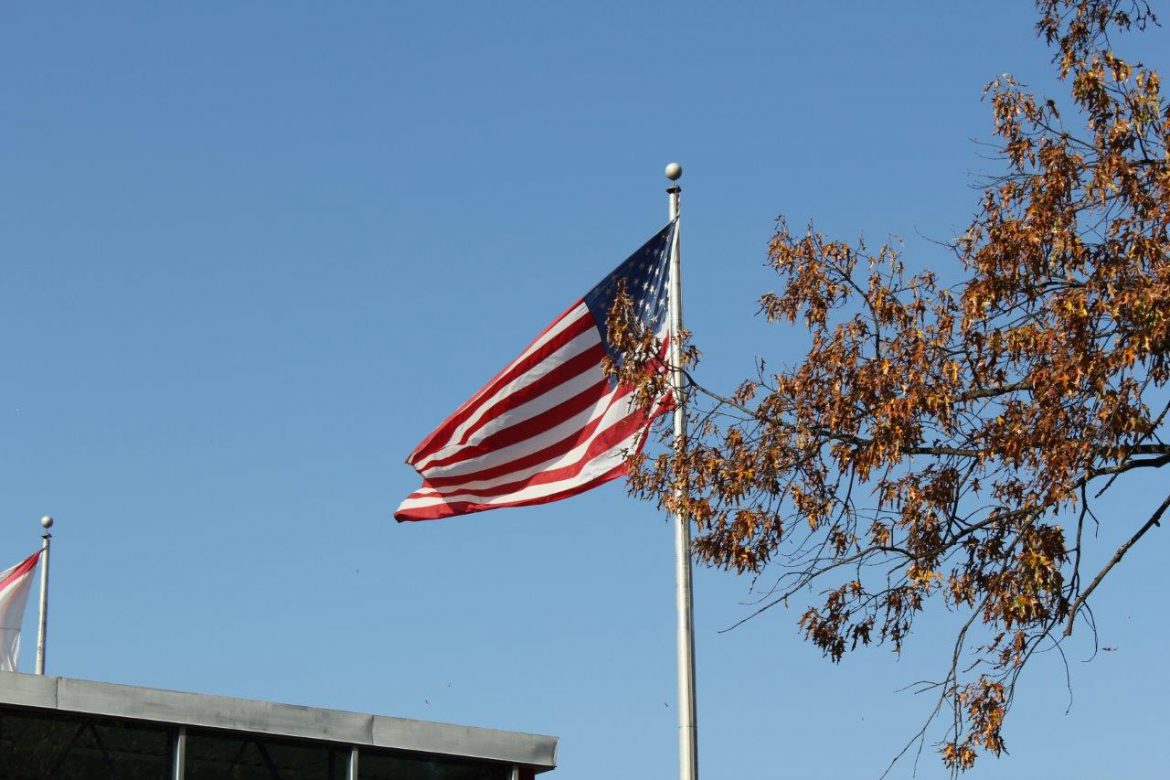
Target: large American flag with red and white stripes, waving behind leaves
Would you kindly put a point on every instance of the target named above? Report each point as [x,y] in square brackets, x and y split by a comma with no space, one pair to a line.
[550,425]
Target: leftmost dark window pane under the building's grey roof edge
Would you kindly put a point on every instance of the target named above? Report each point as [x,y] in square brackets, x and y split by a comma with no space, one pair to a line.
[37,744]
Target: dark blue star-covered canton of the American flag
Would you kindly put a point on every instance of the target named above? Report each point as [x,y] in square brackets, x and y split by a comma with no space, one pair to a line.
[646,273]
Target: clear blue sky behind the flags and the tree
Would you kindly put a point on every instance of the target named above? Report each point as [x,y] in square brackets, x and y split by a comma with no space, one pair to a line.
[252,253]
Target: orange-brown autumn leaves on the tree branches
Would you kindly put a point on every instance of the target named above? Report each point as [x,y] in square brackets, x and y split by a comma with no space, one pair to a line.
[945,445]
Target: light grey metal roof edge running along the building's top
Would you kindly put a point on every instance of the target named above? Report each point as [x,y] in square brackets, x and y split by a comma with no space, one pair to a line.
[80,696]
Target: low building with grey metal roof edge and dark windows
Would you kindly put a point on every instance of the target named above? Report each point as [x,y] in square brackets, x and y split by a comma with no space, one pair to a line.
[60,728]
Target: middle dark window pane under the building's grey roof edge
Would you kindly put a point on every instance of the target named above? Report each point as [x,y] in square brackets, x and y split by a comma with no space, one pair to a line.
[215,756]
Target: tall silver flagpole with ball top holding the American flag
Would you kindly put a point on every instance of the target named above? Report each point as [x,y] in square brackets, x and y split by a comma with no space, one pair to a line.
[689,729]
